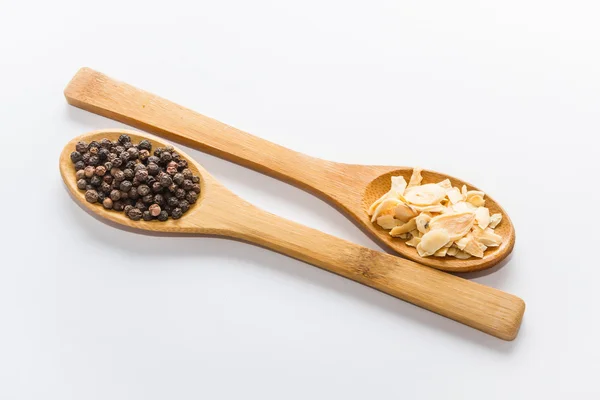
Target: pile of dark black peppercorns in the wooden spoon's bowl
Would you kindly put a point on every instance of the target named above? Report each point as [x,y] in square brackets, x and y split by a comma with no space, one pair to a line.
[130,178]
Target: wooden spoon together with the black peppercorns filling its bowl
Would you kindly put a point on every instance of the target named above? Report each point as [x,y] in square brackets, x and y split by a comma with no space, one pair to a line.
[113,174]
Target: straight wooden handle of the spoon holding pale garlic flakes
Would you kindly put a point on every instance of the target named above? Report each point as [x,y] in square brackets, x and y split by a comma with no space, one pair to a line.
[97,93]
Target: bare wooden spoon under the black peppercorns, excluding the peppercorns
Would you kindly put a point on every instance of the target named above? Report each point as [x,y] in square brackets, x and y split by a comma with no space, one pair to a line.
[222,213]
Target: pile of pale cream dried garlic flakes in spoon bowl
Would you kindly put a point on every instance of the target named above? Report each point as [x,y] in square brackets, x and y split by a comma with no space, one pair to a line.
[436,218]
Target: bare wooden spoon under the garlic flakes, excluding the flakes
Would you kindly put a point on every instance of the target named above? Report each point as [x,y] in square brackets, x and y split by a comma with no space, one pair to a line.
[352,188]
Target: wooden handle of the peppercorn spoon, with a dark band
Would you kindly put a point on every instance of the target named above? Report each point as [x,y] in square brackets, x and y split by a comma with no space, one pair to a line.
[481,307]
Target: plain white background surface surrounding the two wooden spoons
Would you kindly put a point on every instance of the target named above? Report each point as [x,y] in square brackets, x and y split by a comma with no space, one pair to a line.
[502,94]
